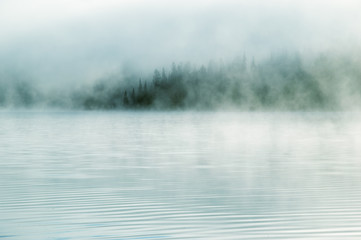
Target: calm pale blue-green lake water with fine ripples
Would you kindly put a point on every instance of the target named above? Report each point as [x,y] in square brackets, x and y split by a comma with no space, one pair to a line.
[179,175]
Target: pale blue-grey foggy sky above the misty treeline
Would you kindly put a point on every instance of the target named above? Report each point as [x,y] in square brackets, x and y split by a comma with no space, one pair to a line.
[80,40]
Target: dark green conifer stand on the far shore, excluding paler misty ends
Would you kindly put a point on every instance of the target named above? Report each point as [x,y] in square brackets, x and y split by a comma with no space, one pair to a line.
[280,82]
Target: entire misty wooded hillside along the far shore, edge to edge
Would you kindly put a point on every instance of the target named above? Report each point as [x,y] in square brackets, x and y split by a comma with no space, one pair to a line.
[281,82]
